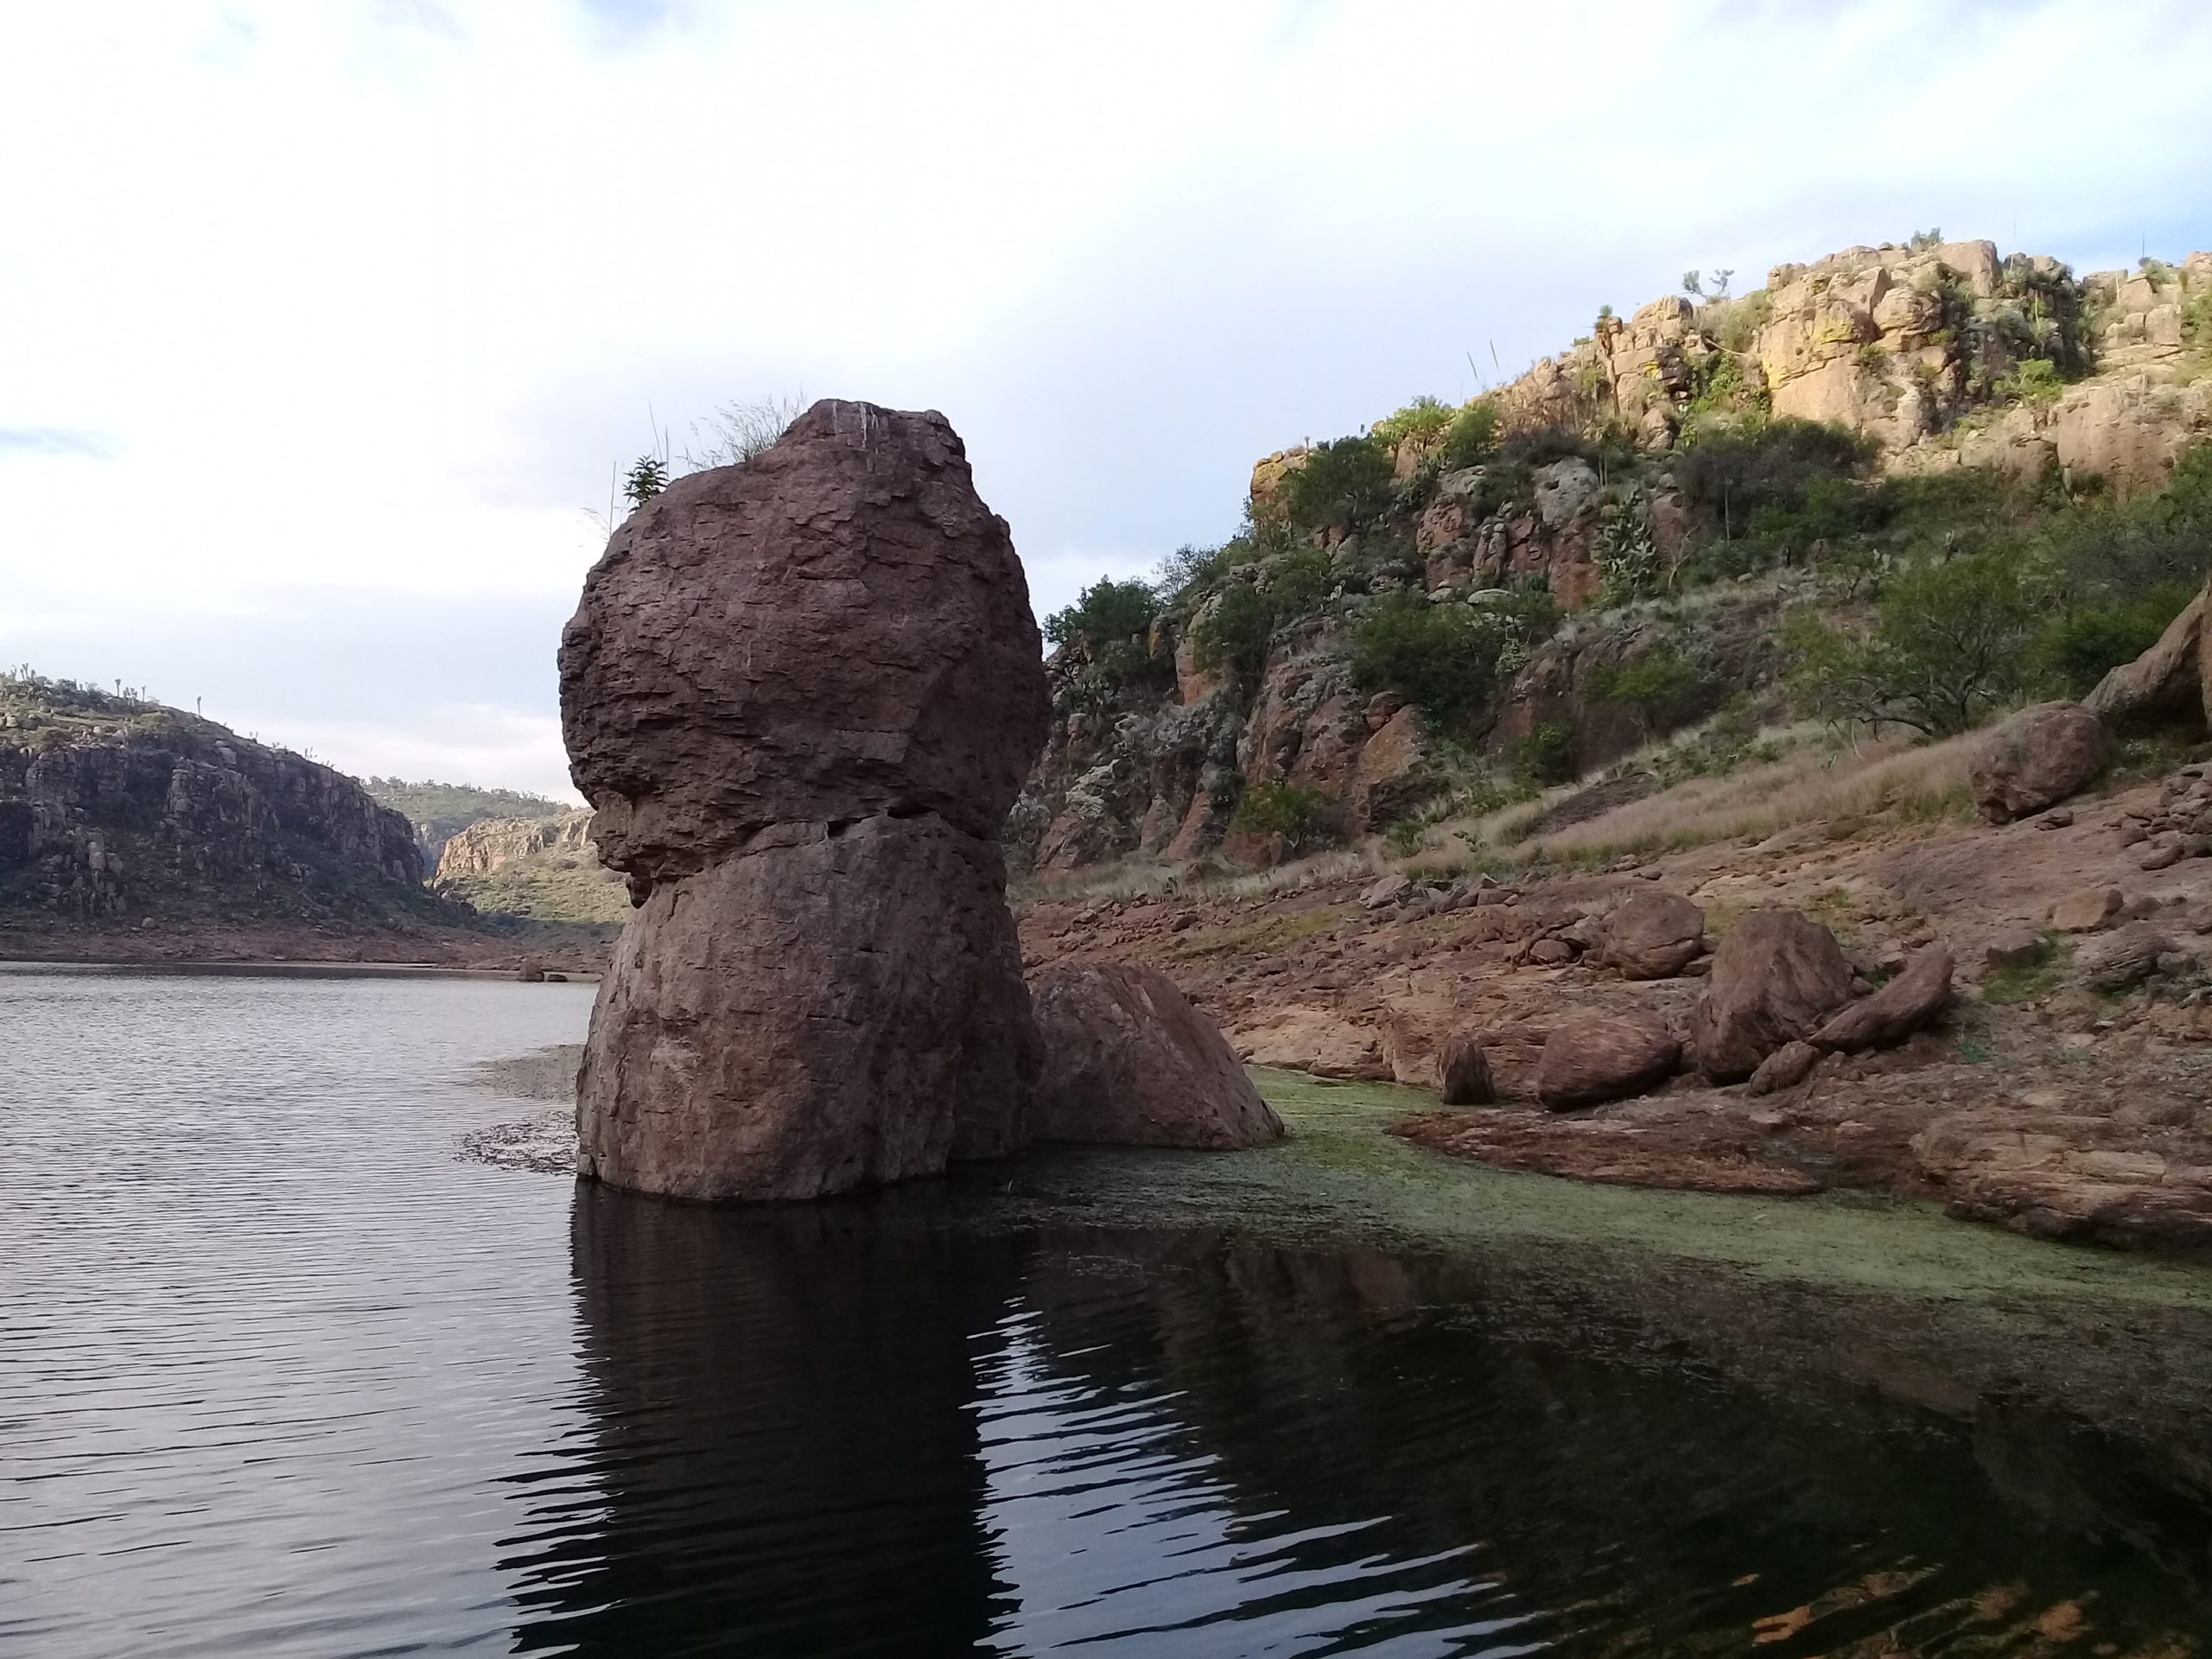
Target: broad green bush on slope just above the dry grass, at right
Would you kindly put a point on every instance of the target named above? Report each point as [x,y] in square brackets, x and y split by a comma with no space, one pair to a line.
[1952,643]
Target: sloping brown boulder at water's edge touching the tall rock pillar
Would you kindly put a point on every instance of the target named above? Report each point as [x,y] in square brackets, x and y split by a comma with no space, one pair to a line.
[1129,1063]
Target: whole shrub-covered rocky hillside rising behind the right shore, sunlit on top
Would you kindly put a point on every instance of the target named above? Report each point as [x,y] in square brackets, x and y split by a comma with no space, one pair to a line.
[1715,514]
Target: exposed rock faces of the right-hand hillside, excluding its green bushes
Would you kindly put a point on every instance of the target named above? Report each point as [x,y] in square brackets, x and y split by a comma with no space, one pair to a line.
[1937,357]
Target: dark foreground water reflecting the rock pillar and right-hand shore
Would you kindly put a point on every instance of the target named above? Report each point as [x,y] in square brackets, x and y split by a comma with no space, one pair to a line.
[879,1430]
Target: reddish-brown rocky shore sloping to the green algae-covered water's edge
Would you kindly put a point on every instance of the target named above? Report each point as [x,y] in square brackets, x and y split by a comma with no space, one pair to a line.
[2065,1089]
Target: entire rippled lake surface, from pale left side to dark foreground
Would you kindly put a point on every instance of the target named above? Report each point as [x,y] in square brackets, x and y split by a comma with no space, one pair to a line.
[284,1375]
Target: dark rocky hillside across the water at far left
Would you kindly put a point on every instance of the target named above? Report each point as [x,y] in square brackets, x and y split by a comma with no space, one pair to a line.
[123,815]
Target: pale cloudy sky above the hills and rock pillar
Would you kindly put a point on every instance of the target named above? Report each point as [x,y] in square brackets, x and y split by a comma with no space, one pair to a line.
[324,326]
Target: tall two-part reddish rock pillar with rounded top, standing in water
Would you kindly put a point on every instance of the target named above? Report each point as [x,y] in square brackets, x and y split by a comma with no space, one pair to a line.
[802,696]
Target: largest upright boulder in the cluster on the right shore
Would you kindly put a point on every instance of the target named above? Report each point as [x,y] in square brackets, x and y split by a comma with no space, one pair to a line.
[1775,979]
